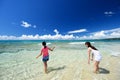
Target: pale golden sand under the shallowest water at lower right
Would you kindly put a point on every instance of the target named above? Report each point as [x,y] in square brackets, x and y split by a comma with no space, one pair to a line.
[80,70]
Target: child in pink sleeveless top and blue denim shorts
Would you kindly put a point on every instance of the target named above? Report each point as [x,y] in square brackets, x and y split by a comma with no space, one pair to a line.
[45,54]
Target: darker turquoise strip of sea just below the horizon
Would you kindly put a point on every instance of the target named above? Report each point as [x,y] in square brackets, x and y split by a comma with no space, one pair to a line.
[15,46]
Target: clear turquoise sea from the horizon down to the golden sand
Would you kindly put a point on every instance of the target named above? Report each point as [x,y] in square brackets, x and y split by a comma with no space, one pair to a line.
[17,58]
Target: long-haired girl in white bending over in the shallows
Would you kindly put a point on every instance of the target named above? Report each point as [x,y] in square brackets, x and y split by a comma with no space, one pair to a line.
[96,54]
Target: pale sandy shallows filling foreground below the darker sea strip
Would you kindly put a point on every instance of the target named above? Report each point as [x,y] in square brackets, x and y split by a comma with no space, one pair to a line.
[67,62]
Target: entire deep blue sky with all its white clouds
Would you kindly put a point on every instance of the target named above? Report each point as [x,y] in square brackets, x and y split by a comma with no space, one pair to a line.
[59,19]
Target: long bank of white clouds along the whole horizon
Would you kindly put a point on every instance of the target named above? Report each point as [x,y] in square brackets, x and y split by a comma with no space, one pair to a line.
[113,33]
